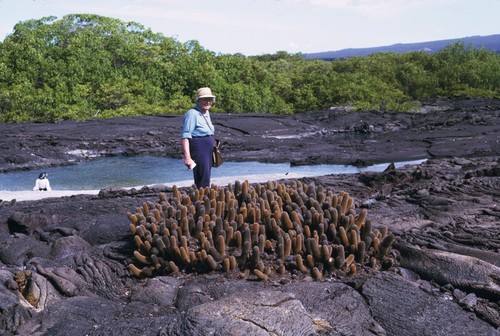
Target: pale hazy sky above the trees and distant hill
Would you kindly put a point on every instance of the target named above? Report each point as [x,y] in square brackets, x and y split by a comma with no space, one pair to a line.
[255,27]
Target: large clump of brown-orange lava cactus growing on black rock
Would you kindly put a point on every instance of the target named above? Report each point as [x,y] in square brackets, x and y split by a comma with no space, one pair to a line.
[257,230]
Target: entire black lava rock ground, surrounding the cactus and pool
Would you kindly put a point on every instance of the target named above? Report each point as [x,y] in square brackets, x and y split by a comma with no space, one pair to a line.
[73,252]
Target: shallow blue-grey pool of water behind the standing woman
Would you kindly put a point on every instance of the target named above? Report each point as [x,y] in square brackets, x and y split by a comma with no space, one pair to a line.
[136,171]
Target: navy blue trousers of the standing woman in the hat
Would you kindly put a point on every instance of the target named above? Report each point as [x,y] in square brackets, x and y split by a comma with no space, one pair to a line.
[201,153]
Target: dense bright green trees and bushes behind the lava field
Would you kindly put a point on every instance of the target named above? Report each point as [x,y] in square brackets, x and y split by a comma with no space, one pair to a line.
[89,66]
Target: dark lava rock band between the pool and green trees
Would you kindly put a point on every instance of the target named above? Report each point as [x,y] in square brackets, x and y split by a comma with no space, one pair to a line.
[444,129]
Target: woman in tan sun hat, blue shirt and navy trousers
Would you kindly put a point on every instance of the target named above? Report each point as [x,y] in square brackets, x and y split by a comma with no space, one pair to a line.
[197,138]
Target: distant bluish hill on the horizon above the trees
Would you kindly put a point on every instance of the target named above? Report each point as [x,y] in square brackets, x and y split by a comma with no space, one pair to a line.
[490,42]
